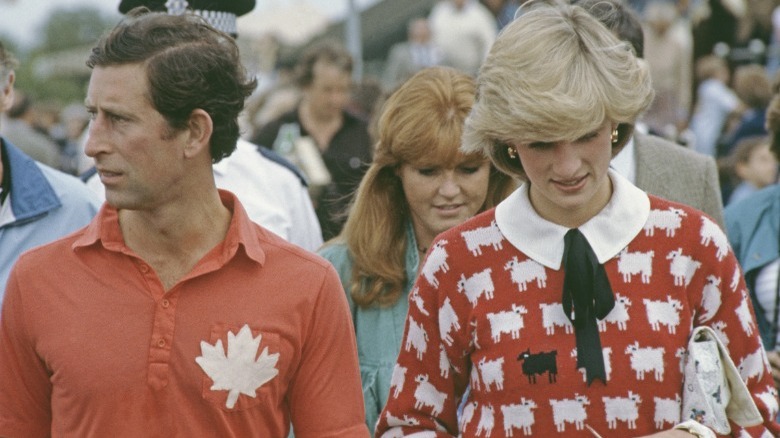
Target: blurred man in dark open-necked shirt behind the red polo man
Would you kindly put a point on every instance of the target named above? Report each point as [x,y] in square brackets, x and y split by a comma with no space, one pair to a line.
[331,145]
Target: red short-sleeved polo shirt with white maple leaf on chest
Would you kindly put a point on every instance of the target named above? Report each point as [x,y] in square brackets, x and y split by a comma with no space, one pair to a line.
[256,336]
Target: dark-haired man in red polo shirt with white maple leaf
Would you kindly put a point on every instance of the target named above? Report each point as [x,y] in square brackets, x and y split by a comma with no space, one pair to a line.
[172,314]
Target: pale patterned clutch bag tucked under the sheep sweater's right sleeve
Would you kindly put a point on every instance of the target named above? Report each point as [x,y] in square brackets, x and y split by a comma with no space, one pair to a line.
[713,391]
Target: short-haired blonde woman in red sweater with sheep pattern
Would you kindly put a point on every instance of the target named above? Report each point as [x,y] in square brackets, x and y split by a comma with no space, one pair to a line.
[546,345]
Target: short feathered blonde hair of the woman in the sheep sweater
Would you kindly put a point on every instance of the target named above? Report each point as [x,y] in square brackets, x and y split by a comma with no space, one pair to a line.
[554,74]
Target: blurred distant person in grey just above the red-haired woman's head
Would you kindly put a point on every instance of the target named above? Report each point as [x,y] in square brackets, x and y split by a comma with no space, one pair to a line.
[408,57]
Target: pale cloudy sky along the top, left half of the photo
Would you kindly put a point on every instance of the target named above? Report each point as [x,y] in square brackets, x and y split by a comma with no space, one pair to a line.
[22,18]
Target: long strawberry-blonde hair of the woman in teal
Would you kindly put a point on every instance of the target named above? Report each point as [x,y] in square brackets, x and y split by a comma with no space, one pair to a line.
[421,124]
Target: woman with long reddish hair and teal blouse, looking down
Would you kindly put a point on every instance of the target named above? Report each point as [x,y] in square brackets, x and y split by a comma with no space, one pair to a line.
[418,185]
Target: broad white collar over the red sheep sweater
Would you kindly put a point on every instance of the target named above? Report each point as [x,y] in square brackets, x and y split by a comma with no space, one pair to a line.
[608,232]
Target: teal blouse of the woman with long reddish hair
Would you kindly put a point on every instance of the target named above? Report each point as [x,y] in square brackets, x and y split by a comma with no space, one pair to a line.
[379,331]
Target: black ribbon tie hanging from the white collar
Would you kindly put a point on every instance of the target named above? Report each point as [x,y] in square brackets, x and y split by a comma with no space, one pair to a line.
[586,286]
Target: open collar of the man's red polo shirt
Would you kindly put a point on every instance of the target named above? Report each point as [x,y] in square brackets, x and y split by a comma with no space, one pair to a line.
[241,231]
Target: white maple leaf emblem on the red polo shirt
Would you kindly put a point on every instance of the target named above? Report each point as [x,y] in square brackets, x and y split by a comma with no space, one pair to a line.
[238,372]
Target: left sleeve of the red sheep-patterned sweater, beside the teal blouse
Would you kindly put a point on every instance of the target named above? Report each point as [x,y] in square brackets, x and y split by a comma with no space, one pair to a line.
[430,375]
